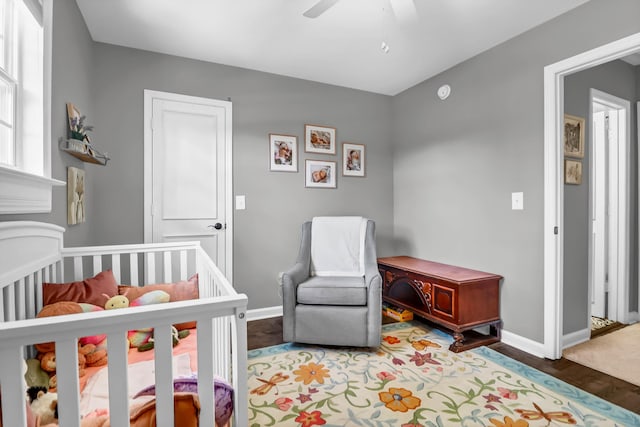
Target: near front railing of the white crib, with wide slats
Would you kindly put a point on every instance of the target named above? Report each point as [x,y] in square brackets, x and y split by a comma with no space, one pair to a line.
[65,331]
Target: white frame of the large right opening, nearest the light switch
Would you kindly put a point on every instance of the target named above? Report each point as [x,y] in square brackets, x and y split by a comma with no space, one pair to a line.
[553,179]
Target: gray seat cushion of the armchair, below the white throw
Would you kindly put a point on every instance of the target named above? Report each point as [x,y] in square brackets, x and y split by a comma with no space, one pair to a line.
[322,290]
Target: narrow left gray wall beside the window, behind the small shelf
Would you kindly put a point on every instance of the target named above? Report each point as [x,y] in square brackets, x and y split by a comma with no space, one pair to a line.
[72,69]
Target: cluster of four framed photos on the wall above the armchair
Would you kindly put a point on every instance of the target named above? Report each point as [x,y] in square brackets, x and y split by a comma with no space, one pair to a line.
[319,173]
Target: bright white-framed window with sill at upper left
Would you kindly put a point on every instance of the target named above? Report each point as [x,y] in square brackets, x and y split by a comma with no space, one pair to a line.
[25,168]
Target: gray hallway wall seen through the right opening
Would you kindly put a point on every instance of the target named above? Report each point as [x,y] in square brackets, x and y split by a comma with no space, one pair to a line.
[619,79]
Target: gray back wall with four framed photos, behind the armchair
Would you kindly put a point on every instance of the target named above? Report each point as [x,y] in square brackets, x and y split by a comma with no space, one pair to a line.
[267,233]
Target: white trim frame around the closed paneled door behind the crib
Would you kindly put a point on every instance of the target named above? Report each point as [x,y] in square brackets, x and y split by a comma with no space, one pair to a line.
[149,96]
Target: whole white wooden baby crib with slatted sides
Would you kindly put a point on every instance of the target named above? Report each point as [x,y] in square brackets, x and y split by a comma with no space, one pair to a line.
[32,253]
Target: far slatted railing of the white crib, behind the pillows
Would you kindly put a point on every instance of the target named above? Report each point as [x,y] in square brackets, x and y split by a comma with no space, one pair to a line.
[135,265]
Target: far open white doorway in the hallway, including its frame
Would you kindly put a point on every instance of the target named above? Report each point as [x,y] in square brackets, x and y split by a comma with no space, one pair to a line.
[609,142]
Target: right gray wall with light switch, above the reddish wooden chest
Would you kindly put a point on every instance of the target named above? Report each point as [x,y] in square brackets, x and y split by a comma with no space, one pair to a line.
[456,162]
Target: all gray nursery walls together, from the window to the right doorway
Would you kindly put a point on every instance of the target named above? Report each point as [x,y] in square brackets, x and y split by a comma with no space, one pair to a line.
[439,173]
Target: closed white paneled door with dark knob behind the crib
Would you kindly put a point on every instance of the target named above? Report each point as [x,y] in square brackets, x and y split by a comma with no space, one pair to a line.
[187,173]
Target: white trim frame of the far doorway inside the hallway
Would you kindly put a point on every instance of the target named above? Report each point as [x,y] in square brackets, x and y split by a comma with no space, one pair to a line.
[618,174]
